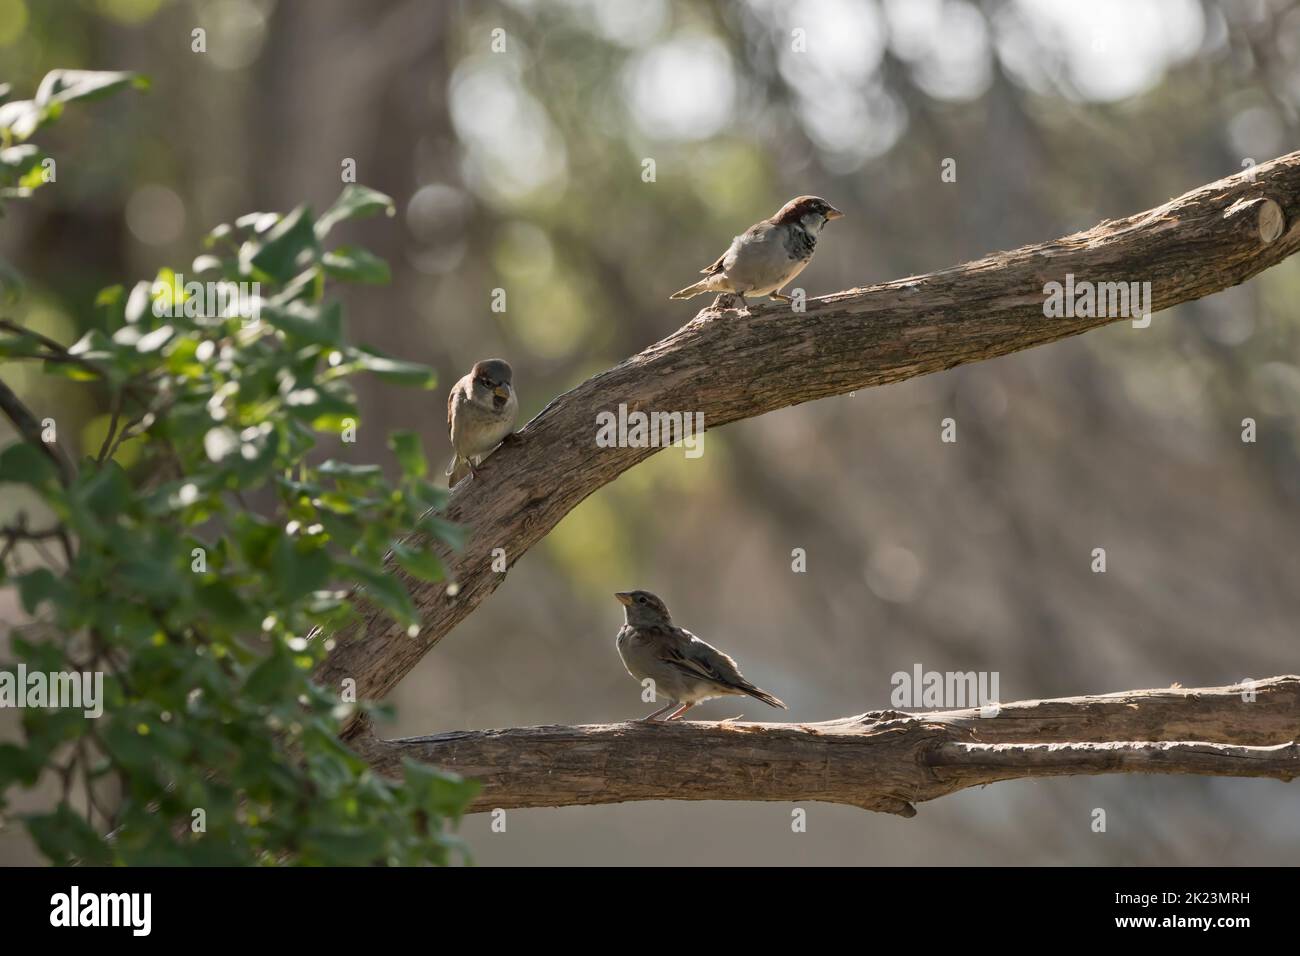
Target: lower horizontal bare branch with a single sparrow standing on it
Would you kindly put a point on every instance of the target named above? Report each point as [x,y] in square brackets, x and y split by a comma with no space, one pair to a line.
[883,760]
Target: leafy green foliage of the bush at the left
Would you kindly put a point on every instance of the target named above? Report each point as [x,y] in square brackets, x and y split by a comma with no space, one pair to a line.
[202,550]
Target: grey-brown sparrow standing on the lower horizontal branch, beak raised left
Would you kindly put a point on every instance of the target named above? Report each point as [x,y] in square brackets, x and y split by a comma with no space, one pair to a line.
[682,667]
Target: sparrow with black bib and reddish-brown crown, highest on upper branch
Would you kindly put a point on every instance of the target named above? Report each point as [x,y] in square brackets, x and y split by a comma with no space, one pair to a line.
[769,254]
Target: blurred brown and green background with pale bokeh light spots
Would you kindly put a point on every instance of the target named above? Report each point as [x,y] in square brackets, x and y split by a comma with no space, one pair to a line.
[523,171]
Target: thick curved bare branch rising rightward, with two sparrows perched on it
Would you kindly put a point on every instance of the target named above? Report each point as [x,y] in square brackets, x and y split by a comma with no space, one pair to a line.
[733,366]
